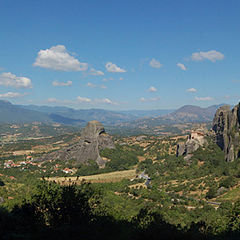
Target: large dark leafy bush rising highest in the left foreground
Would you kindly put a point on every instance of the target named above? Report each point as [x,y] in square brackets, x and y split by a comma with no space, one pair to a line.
[54,204]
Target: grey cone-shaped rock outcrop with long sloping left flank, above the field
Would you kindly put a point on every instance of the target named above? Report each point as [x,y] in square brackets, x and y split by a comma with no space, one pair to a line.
[93,139]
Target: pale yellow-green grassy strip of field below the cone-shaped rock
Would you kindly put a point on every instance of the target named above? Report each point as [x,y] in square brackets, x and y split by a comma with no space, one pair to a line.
[98,178]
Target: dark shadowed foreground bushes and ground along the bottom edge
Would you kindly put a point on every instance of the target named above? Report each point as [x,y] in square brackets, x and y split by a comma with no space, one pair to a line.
[63,212]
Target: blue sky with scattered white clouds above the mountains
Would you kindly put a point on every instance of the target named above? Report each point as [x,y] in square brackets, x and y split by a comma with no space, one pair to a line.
[120,54]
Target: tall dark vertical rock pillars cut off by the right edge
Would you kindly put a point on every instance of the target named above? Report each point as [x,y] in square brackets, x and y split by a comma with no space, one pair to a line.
[226,125]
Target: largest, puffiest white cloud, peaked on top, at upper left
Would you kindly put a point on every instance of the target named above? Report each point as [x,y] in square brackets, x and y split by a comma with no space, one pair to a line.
[57,58]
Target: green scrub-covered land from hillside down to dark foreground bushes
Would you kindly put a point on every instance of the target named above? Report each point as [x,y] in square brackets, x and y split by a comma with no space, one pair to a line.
[174,206]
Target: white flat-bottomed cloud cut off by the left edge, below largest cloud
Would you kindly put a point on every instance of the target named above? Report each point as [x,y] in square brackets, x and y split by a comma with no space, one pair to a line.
[11,80]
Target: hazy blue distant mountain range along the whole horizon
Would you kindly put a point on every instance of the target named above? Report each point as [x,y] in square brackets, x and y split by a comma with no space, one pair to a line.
[10,113]
